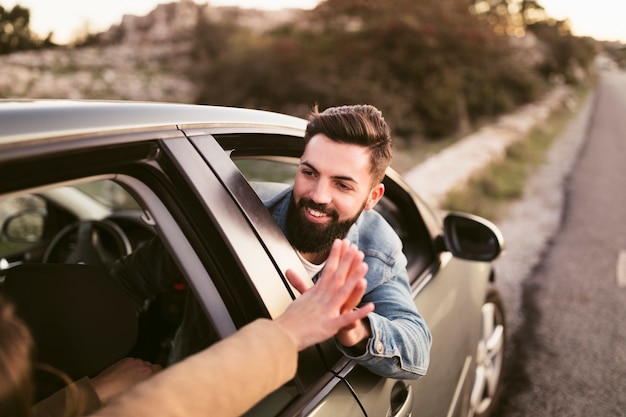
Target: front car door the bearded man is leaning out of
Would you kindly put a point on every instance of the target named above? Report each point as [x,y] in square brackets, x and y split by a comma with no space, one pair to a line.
[448,293]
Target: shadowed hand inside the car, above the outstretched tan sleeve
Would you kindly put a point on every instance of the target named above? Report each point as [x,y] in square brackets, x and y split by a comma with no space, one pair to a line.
[121,376]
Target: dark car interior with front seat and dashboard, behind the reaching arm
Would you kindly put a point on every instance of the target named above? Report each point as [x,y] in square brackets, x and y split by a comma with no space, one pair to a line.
[47,251]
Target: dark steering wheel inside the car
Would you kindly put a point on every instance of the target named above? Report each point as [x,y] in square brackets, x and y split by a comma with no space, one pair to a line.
[93,242]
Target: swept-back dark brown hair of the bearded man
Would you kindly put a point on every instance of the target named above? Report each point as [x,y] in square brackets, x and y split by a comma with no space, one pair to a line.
[359,124]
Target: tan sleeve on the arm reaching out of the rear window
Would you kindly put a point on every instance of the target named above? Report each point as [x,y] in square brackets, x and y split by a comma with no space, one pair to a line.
[225,379]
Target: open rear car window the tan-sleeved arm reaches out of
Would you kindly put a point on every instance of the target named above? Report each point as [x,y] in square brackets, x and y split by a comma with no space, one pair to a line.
[51,239]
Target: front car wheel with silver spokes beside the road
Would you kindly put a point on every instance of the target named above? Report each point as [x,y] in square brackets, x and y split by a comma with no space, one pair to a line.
[489,356]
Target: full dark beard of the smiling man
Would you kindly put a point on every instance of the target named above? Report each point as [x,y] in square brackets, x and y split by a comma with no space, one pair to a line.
[309,237]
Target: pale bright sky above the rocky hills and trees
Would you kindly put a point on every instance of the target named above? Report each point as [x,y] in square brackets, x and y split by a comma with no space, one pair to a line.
[601,19]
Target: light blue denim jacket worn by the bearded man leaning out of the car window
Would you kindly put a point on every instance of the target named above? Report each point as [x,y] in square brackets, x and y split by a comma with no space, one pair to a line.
[400,343]
